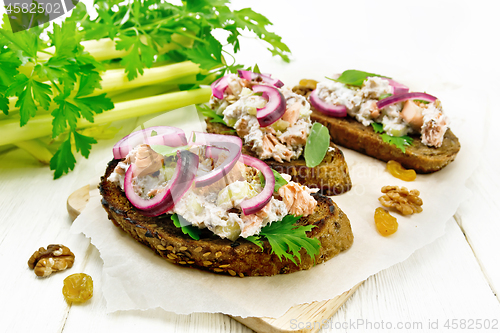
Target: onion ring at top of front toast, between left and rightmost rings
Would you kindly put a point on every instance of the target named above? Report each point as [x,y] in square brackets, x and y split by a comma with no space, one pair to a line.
[230,142]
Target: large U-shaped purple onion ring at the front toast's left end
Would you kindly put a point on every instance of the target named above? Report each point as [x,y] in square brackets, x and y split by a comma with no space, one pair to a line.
[184,175]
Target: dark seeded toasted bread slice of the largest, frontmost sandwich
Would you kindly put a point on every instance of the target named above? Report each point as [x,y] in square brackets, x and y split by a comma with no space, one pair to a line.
[239,258]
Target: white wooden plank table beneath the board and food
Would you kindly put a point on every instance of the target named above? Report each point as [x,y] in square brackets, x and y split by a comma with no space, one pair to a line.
[454,280]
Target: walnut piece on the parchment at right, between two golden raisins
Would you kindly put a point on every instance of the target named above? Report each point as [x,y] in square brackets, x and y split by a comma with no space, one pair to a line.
[406,202]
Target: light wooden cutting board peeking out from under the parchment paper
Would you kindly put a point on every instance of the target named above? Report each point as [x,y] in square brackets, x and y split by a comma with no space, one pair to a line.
[299,318]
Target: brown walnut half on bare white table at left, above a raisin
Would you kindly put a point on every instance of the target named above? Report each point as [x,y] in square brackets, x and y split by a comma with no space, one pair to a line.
[55,258]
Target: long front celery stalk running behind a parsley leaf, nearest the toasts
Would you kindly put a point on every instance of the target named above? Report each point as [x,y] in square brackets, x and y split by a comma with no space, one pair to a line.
[41,126]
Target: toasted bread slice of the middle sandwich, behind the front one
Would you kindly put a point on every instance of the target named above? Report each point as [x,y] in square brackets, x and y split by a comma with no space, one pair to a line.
[331,176]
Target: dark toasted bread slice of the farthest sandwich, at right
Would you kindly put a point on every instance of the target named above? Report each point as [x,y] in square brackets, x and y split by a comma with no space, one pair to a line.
[350,133]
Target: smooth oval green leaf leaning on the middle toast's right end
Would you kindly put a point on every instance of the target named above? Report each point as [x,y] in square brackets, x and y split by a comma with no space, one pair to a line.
[317,145]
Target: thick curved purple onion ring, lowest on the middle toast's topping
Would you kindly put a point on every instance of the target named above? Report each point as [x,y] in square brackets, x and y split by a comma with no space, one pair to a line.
[275,107]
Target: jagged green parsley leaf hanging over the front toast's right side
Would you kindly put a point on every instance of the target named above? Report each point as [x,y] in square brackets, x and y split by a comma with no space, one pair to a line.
[286,239]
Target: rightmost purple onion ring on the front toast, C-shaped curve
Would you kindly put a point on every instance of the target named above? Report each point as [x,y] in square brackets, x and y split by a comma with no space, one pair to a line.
[253,205]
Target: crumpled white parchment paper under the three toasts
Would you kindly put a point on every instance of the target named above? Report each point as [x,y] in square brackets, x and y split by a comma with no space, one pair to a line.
[135,278]
